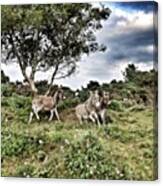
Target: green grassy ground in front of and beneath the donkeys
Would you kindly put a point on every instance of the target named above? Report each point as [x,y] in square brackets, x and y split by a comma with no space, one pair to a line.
[50,149]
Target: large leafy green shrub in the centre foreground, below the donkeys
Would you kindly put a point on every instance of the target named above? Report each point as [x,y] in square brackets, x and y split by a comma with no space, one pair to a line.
[85,159]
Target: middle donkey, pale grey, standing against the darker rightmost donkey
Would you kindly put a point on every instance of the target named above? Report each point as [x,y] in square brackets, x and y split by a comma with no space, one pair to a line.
[87,110]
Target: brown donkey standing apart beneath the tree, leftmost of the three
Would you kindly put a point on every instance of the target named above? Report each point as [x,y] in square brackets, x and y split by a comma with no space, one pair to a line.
[46,103]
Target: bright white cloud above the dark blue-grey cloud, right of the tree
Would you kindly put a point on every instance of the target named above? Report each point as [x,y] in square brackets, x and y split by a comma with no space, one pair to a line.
[122,21]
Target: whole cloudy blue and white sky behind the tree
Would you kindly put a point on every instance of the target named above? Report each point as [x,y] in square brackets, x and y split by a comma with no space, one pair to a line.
[129,37]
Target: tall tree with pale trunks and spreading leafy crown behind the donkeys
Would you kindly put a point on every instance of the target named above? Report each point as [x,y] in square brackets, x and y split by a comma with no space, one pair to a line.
[50,37]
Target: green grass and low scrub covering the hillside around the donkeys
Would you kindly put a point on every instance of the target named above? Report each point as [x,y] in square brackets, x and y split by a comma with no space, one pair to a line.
[125,148]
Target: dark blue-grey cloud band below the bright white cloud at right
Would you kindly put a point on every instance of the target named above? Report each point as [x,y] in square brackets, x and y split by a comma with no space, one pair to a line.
[131,46]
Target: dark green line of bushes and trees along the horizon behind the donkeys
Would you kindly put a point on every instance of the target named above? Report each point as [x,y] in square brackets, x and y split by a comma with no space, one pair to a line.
[140,86]
